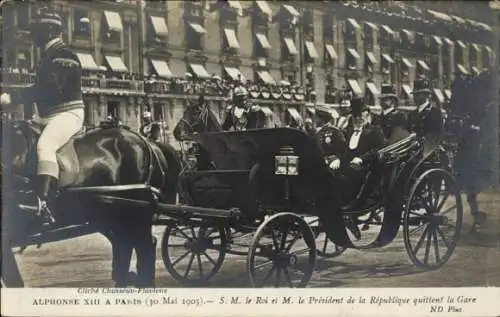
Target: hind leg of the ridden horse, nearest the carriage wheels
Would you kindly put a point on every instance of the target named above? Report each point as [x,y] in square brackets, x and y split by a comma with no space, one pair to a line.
[145,247]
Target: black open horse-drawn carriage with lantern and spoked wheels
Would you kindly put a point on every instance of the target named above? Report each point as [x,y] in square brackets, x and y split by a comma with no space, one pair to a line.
[271,192]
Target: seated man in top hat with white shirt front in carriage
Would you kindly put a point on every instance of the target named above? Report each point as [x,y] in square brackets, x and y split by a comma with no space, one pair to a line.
[363,141]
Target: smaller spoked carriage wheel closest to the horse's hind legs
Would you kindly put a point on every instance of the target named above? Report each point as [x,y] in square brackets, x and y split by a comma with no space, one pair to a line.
[193,254]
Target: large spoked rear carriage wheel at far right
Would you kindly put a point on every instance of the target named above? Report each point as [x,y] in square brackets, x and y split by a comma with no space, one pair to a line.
[432,219]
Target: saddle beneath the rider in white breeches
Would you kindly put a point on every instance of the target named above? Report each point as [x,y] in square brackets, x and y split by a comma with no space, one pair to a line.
[67,156]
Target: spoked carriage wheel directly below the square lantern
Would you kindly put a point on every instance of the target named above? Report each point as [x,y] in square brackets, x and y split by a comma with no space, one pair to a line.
[283,250]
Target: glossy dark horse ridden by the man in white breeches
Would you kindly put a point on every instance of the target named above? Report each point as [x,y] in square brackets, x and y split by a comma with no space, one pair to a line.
[101,157]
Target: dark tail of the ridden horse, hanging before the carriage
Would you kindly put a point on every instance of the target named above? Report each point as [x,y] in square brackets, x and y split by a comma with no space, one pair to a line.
[169,190]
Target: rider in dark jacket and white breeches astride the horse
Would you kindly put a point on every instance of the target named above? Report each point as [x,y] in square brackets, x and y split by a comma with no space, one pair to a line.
[58,95]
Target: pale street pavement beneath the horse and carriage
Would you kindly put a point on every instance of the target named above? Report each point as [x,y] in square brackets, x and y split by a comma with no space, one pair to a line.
[86,262]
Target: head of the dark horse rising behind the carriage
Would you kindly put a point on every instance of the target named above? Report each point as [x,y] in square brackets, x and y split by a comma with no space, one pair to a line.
[197,118]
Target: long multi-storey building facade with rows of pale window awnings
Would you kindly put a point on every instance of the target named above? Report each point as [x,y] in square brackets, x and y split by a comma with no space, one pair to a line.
[136,53]
